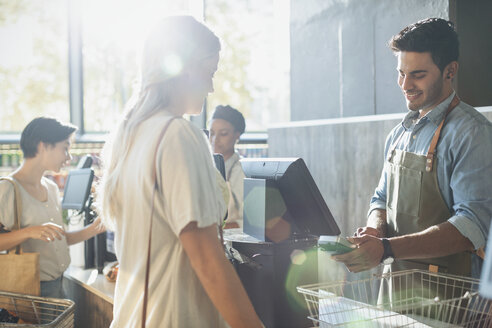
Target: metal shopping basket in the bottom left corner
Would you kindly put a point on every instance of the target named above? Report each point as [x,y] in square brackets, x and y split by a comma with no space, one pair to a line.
[38,311]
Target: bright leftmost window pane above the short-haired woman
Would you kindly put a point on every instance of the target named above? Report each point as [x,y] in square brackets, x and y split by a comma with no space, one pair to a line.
[33,62]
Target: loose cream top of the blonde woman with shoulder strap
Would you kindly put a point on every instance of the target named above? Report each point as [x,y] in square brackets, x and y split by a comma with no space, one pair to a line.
[188,192]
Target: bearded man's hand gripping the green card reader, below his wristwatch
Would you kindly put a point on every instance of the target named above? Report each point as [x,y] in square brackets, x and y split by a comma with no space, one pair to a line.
[366,256]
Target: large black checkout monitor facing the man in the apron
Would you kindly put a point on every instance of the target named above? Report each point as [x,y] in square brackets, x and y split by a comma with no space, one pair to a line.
[307,210]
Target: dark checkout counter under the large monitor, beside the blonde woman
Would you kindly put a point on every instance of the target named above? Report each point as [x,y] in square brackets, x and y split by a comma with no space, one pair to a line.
[270,273]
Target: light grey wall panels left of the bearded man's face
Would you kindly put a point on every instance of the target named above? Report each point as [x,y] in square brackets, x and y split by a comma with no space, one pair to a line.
[340,64]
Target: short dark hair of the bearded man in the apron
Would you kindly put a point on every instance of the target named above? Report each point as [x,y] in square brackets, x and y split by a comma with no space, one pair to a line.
[434,35]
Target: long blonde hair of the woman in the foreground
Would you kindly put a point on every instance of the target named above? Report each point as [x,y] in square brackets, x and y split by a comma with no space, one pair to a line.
[174,44]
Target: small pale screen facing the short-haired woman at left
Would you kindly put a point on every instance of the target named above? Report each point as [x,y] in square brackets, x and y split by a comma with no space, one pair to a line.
[77,189]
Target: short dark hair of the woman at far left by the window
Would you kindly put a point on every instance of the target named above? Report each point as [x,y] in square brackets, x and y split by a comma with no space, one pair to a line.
[43,129]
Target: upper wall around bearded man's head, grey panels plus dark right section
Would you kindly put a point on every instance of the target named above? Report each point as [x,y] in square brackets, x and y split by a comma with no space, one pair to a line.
[341,65]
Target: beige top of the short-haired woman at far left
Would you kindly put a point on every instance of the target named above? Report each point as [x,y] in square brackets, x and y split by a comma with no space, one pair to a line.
[54,257]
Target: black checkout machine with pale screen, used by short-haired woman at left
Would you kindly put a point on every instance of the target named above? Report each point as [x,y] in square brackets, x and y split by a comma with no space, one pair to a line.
[77,196]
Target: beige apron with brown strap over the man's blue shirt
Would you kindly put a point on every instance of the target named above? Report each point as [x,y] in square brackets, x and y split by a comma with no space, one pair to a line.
[414,203]
